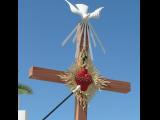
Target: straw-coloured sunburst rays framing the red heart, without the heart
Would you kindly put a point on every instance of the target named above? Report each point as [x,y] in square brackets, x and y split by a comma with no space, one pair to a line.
[84,96]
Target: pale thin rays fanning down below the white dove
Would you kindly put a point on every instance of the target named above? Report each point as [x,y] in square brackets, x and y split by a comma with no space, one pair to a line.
[86,32]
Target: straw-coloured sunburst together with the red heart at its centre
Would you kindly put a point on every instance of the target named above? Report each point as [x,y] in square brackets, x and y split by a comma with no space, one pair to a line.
[83,73]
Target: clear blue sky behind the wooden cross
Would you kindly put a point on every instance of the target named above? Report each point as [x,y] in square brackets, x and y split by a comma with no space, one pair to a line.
[44,24]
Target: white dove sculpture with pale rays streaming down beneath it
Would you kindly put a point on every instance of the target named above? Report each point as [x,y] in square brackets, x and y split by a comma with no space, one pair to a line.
[82,10]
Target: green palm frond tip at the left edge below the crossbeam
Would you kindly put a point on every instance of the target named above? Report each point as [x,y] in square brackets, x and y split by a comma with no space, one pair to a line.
[24,89]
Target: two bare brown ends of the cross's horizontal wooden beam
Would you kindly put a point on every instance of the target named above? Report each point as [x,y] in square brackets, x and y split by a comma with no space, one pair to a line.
[52,76]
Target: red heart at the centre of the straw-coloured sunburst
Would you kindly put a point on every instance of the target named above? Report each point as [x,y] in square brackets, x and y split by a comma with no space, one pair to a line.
[83,78]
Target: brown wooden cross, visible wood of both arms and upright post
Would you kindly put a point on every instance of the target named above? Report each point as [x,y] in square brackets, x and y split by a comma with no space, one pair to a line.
[52,76]
